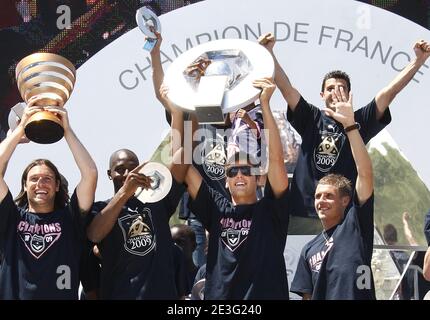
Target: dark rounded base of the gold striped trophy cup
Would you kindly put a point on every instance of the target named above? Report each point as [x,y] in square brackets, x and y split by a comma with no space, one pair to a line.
[44,131]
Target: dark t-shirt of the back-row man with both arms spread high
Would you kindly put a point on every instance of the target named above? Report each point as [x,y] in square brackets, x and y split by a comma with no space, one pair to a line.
[325,149]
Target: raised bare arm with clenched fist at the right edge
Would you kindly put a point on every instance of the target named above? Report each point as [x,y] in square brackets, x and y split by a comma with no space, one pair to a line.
[387,94]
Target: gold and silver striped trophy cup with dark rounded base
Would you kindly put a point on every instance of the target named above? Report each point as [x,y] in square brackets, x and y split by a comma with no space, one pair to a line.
[45,79]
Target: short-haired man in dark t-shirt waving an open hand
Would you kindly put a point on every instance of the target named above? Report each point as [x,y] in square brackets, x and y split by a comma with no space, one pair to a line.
[336,264]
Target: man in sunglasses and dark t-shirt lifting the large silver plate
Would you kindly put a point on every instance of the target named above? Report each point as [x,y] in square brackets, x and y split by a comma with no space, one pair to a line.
[247,237]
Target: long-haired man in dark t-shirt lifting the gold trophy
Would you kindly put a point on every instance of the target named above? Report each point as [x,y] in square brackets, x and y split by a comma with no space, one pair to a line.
[41,232]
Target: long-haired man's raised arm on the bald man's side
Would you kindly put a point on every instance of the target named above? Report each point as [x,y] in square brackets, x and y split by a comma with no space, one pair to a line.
[86,187]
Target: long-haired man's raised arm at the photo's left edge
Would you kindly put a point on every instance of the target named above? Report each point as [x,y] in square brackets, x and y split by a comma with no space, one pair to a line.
[8,145]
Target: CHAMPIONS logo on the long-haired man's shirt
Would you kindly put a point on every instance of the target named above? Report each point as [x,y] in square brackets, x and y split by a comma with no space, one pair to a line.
[38,238]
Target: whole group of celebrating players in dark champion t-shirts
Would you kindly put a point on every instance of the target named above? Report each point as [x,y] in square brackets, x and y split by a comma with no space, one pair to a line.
[121,248]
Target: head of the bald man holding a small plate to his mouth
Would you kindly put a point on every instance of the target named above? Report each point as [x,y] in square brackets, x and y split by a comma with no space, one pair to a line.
[121,164]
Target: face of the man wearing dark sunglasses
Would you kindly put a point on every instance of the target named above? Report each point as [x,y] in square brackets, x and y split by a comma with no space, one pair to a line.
[241,181]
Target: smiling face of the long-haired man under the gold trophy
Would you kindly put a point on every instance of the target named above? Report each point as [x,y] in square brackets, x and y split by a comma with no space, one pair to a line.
[41,187]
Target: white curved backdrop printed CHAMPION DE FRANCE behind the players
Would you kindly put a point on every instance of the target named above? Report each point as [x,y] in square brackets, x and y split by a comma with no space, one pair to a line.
[113,105]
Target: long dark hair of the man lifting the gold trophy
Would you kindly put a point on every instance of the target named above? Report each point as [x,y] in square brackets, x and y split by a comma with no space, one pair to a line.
[61,196]
